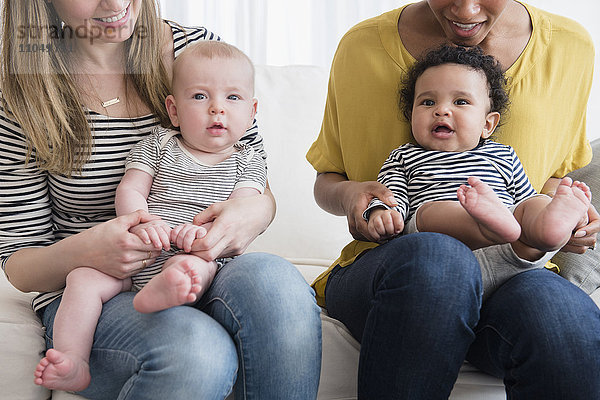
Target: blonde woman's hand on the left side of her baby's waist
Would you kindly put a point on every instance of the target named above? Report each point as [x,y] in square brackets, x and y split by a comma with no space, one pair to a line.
[112,248]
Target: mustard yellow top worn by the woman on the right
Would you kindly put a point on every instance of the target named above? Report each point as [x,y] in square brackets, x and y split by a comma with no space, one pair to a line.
[549,86]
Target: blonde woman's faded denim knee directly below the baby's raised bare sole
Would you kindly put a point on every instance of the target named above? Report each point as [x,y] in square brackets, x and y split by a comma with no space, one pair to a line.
[176,353]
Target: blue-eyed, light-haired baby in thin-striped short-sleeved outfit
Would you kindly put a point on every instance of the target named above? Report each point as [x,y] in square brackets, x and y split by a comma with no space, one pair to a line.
[174,175]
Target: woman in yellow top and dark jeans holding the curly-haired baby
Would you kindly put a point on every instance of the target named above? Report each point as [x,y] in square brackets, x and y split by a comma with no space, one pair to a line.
[415,301]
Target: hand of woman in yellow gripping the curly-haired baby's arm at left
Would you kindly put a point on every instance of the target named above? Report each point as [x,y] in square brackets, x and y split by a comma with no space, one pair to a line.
[336,194]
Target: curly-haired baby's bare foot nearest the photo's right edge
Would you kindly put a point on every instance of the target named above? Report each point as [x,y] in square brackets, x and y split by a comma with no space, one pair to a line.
[566,212]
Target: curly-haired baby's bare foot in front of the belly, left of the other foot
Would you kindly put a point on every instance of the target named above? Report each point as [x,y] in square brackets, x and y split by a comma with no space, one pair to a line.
[494,219]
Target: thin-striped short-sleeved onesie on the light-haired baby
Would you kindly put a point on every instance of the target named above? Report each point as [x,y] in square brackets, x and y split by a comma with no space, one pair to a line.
[182,186]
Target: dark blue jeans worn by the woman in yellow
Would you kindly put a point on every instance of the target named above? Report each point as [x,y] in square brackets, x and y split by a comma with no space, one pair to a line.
[414,303]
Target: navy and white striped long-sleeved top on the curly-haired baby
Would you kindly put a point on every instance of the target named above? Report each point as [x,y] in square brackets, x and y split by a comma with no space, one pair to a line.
[416,175]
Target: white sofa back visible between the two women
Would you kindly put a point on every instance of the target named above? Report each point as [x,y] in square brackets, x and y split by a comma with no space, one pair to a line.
[291,100]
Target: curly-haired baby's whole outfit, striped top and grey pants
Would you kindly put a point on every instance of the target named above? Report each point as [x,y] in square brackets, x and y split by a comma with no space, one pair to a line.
[416,176]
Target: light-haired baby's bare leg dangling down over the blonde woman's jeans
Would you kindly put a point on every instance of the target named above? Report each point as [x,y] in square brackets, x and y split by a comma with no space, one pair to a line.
[65,367]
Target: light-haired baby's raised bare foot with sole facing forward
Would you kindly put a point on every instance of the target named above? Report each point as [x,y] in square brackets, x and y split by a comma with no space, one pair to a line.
[183,280]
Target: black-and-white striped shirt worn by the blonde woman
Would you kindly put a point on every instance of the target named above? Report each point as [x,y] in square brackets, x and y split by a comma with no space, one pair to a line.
[38,209]
